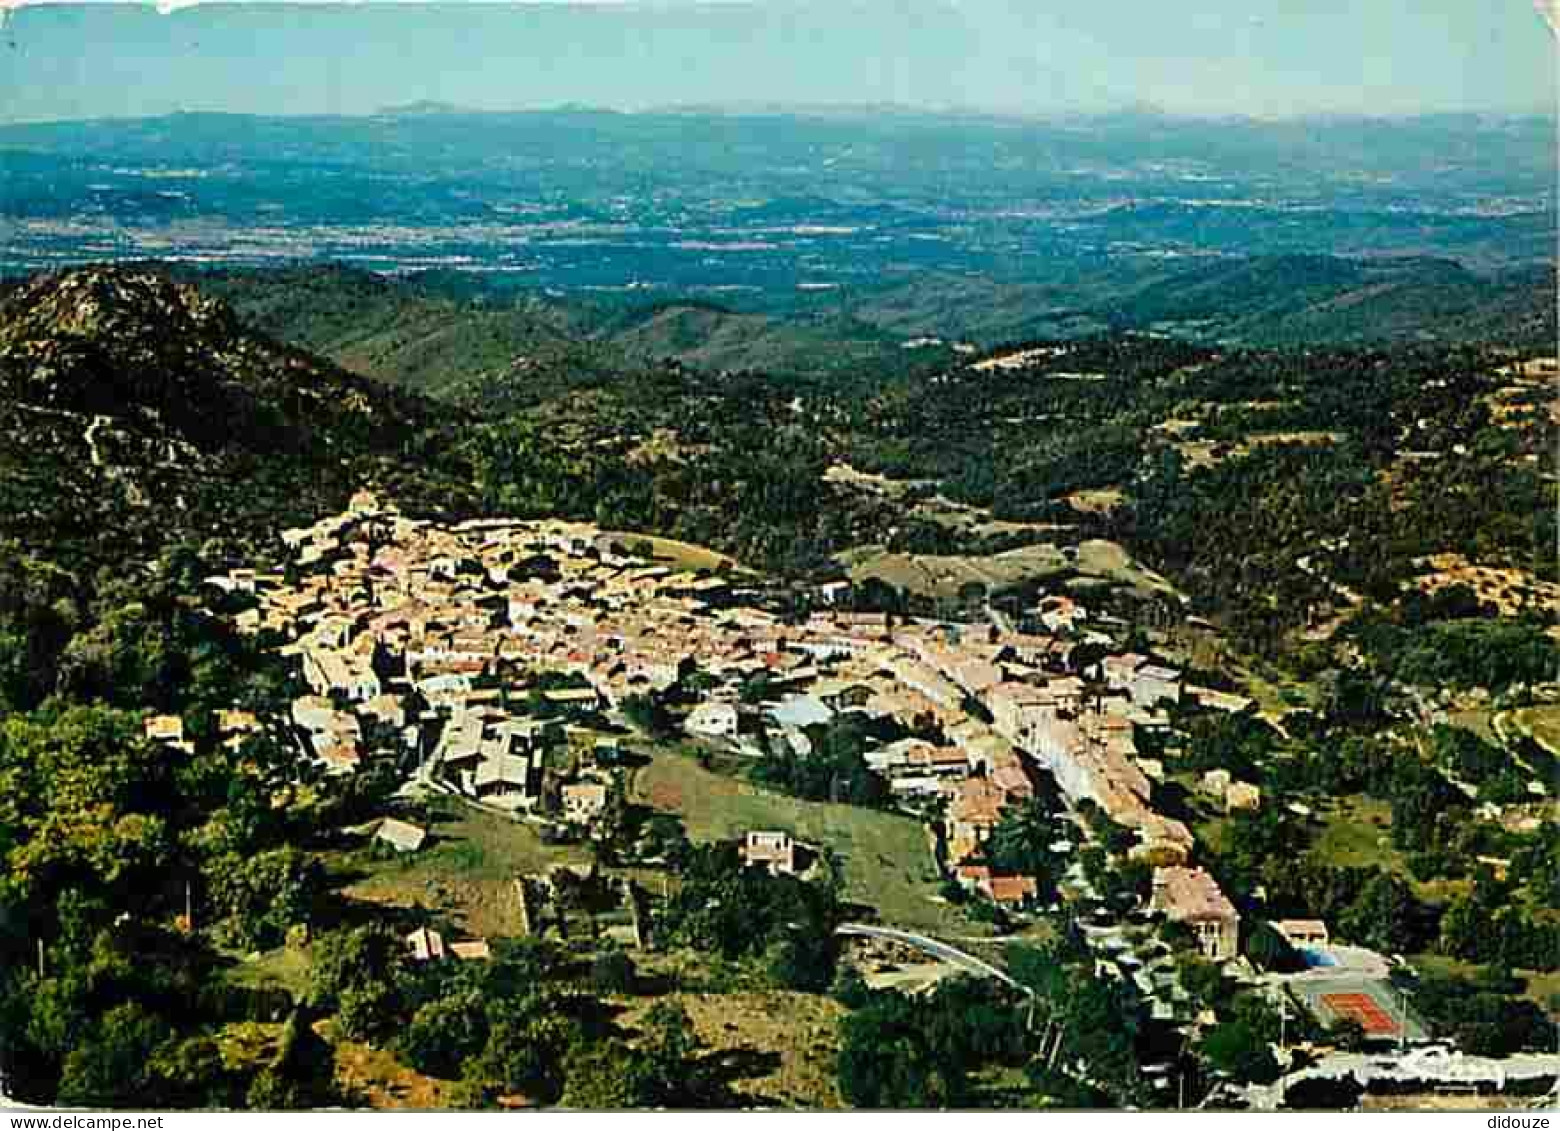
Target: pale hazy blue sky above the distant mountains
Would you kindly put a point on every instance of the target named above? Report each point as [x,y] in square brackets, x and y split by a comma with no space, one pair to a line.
[1049,57]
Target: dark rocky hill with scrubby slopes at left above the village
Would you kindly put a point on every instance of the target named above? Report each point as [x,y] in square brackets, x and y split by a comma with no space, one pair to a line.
[136,411]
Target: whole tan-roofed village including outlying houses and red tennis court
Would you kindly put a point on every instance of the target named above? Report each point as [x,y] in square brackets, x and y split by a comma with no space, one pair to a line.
[528,668]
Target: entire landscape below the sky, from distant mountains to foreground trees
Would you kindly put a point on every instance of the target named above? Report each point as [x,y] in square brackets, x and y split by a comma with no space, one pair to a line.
[732,636]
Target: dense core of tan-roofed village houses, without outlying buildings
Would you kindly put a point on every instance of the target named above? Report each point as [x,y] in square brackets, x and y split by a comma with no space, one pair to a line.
[420,637]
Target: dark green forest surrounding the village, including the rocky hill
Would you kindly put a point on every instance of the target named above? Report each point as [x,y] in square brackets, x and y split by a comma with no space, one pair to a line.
[151,439]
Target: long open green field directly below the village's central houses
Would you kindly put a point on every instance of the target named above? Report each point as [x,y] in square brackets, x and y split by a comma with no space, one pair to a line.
[887,857]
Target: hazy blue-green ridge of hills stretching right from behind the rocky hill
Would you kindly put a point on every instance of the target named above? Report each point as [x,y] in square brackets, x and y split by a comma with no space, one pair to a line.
[452,338]
